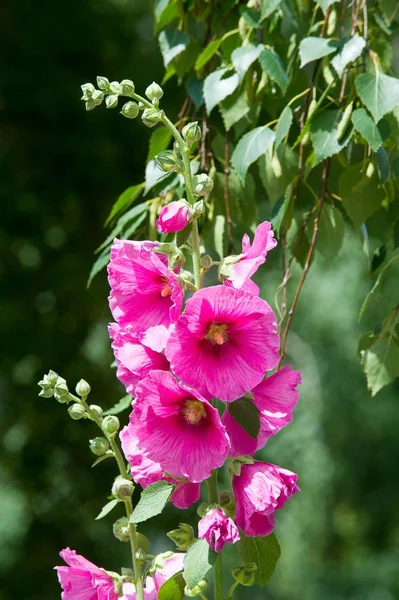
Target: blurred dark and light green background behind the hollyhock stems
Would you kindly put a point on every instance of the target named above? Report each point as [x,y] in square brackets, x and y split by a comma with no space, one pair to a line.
[61,168]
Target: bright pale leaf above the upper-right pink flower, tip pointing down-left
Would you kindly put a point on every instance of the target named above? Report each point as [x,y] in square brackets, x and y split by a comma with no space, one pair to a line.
[250,147]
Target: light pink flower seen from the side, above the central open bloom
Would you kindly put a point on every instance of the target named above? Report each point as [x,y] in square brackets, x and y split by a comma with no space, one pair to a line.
[237,270]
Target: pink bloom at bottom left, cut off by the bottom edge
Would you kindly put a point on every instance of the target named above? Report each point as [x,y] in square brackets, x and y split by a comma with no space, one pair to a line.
[83,580]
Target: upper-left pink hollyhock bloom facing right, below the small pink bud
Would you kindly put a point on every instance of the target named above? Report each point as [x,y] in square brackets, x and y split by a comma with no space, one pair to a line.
[144,292]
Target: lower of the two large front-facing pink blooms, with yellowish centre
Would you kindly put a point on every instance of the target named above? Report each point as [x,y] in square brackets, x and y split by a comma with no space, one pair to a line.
[177,428]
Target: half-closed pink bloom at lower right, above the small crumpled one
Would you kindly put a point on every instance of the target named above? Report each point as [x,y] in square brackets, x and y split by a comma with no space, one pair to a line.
[261,489]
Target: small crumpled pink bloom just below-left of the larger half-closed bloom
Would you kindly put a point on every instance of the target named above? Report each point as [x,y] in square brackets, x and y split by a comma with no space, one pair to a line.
[217,529]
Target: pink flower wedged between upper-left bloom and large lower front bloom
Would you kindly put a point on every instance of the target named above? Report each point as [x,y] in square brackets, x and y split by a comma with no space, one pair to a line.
[135,358]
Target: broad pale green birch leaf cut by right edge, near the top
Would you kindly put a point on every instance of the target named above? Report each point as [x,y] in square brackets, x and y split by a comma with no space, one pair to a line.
[378,92]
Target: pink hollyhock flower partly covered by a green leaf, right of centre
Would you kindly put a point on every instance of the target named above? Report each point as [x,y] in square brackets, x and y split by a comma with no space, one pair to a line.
[276,398]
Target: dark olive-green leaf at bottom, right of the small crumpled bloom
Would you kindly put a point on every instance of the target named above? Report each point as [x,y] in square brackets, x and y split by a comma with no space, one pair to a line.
[263,551]
